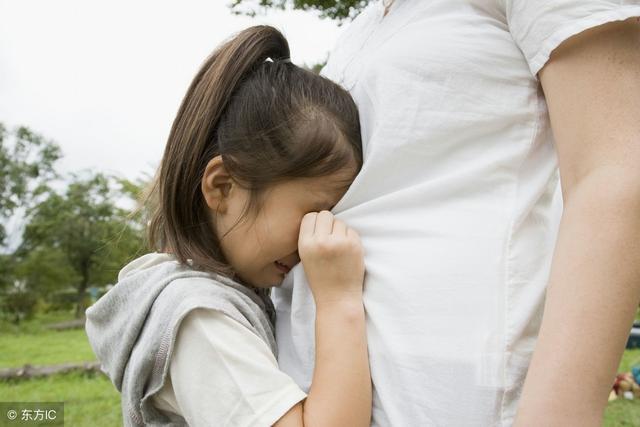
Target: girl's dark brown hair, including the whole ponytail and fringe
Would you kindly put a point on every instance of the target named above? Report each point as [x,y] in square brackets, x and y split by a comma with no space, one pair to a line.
[269,120]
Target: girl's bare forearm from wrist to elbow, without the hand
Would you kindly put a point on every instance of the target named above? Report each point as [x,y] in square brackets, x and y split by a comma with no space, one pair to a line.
[340,393]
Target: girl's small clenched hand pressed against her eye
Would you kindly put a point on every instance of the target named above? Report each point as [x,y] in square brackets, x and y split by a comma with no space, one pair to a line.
[332,257]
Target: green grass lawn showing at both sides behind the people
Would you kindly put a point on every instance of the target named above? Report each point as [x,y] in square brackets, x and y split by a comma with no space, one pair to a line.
[91,399]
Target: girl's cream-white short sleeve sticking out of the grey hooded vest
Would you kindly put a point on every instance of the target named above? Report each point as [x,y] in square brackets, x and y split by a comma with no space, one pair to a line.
[221,373]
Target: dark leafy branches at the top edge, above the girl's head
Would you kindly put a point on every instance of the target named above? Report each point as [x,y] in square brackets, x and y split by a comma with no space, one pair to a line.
[339,10]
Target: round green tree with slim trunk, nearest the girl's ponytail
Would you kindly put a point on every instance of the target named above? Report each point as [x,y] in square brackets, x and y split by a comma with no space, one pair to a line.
[84,230]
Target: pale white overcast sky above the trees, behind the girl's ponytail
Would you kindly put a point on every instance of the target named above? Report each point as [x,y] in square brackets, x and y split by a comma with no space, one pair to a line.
[104,79]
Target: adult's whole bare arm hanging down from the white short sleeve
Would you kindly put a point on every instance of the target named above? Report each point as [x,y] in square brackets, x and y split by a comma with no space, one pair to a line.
[592,87]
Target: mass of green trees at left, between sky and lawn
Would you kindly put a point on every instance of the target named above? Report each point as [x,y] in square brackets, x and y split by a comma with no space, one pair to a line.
[73,238]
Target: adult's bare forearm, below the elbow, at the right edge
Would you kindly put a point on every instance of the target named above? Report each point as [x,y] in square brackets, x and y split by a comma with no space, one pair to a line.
[593,294]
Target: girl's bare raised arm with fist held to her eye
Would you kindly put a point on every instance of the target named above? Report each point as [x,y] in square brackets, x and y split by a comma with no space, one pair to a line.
[340,393]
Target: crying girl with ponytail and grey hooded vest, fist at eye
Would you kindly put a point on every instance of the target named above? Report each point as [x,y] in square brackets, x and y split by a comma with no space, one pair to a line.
[258,154]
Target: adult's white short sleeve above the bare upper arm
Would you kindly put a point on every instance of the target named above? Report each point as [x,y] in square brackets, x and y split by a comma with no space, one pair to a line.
[539,26]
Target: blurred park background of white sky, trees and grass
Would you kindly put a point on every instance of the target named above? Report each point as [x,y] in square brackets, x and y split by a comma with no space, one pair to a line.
[88,92]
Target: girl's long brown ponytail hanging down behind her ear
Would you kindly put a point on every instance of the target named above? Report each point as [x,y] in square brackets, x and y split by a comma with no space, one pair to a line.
[191,135]
